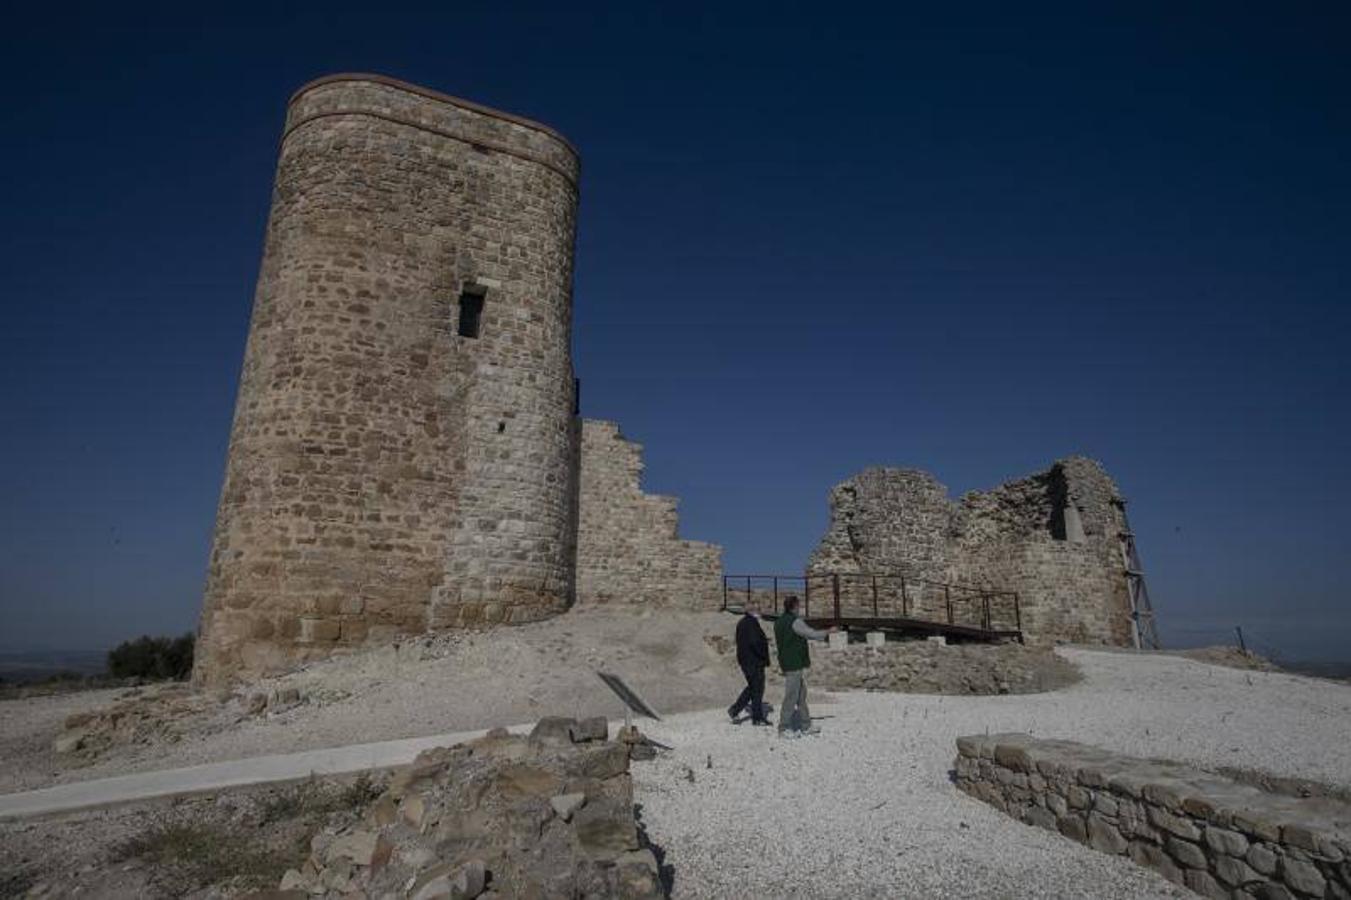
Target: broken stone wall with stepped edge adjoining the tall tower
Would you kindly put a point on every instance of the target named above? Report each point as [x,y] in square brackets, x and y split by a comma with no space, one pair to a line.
[629,545]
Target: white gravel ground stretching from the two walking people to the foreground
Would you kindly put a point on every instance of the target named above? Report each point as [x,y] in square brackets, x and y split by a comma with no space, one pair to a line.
[867,809]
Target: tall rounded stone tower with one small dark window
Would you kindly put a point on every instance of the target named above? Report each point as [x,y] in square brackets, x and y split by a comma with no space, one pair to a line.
[405,445]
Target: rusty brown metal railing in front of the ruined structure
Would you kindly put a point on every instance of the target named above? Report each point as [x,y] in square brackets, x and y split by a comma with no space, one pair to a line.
[857,595]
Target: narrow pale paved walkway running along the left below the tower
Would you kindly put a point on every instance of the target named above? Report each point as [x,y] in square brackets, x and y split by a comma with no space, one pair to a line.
[167,783]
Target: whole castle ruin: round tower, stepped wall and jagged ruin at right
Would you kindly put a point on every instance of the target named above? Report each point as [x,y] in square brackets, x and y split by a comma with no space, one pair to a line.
[407,451]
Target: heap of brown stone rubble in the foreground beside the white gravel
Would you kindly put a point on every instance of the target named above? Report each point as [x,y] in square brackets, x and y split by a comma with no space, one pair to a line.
[502,817]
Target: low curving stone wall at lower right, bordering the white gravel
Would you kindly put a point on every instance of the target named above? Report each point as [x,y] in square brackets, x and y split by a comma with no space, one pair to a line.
[1214,836]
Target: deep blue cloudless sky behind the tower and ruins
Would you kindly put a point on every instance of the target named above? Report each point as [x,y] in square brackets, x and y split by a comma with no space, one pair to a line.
[971,241]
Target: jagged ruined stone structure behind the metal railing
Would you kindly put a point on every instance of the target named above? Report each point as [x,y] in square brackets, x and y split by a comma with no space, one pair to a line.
[1053,537]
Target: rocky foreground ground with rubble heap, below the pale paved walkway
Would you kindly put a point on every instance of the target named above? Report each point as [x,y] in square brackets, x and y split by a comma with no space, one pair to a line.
[551,816]
